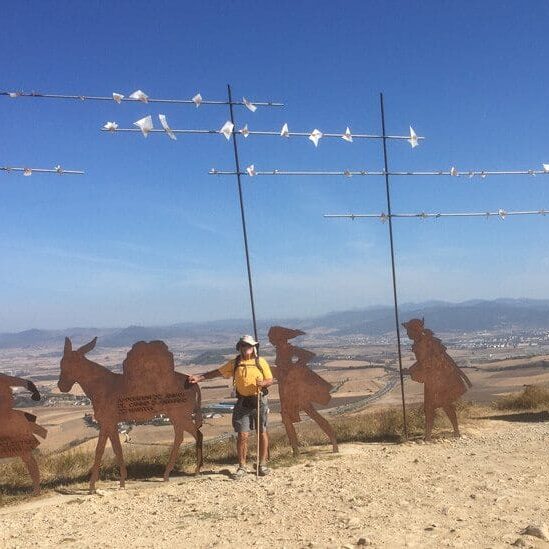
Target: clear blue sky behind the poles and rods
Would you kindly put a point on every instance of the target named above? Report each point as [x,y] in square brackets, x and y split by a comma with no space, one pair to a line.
[148,237]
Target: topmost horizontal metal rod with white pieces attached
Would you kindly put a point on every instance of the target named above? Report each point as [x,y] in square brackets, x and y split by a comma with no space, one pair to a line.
[140,96]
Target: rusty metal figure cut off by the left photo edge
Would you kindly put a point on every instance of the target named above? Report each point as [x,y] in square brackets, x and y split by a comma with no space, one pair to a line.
[18,429]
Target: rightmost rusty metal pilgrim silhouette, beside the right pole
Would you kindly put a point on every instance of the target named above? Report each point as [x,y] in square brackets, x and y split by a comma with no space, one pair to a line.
[443,380]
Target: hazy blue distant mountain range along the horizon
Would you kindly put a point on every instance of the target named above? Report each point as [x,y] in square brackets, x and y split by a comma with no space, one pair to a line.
[468,316]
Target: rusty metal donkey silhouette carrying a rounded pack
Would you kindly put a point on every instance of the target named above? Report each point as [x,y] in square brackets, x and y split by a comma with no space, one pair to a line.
[148,386]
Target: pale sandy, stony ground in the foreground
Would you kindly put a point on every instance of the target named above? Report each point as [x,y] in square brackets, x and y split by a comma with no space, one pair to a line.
[481,491]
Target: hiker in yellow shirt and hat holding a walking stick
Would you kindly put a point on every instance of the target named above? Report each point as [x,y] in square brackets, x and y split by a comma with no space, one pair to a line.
[251,376]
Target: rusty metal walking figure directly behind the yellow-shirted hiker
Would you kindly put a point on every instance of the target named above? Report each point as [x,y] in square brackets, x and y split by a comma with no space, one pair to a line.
[298,386]
